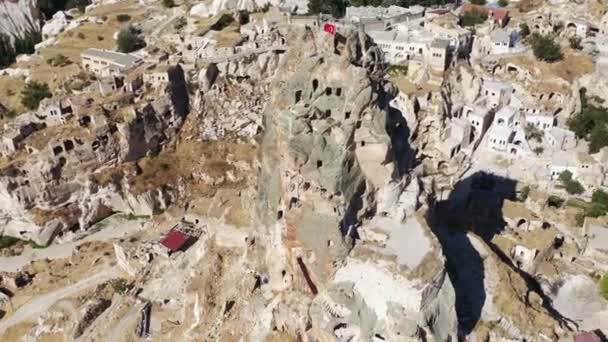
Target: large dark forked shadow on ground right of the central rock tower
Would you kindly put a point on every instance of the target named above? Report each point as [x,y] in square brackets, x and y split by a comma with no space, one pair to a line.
[475,205]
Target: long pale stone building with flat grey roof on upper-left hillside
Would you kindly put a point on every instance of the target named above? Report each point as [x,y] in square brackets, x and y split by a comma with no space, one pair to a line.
[105,62]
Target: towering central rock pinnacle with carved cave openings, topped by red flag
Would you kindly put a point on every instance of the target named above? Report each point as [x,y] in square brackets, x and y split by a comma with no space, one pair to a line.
[331,200]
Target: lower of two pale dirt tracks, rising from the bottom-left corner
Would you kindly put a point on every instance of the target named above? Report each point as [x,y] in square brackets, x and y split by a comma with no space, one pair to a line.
[42,303]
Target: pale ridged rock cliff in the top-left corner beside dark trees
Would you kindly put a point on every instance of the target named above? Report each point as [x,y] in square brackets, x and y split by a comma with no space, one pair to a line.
[19,16]
